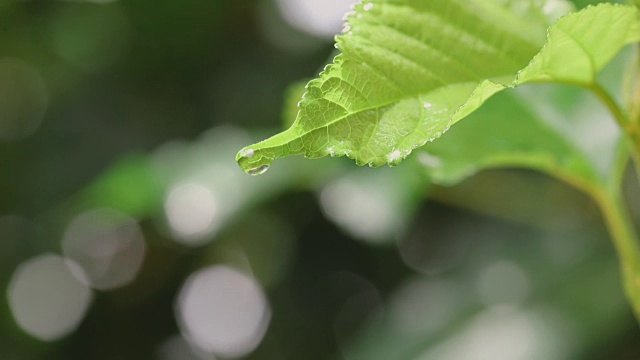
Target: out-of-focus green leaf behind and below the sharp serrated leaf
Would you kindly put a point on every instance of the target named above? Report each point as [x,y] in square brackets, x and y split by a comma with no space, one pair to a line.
[560,130]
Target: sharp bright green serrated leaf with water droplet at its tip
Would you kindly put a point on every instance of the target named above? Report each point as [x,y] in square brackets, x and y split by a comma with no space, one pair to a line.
[409,69]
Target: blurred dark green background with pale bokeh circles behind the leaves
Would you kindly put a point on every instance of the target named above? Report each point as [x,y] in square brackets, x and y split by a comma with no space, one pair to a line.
[127,231]
